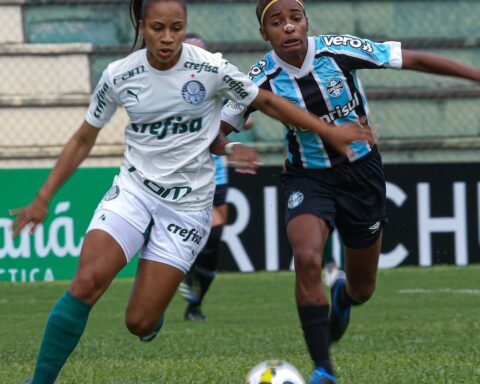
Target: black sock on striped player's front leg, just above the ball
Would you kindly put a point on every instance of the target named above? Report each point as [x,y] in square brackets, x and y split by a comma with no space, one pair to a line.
[316,330]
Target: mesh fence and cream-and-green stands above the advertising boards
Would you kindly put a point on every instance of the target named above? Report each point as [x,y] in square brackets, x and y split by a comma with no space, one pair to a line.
[52,53]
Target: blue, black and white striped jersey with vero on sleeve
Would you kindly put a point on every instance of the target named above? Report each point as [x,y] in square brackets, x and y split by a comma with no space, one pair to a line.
[327,86]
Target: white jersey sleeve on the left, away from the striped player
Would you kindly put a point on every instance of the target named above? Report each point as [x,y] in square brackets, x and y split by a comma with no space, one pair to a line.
[103,104]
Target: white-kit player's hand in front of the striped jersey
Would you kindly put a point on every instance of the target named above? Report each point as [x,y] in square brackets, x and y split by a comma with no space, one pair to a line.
[340,136]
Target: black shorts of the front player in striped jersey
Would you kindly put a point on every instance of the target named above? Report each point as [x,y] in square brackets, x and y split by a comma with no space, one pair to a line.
[350,197]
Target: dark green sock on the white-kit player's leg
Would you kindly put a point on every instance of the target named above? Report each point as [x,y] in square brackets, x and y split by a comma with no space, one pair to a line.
[65,326]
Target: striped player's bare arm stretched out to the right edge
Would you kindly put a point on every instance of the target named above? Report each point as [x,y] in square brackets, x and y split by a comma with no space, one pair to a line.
[426,62]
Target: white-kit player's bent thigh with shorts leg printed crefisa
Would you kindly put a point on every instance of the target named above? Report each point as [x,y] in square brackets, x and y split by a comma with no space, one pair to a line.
[175,240]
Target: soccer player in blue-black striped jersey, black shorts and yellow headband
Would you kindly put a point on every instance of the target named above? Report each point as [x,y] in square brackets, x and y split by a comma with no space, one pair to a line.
[322,187]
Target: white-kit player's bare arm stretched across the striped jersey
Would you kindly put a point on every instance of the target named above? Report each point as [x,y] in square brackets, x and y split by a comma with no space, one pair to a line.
[339,136]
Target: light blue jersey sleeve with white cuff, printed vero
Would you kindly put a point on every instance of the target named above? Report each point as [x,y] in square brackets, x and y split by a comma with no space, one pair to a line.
[358,53]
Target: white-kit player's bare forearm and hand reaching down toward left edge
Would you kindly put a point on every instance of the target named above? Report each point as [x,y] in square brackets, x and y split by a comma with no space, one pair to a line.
[74,152]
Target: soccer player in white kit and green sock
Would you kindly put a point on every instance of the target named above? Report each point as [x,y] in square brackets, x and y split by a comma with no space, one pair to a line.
[173,94]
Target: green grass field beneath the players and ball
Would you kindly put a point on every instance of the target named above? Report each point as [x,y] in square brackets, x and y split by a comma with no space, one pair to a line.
[422,326]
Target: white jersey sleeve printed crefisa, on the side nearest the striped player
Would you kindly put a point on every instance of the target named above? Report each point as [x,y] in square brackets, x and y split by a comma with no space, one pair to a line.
[235,85]
